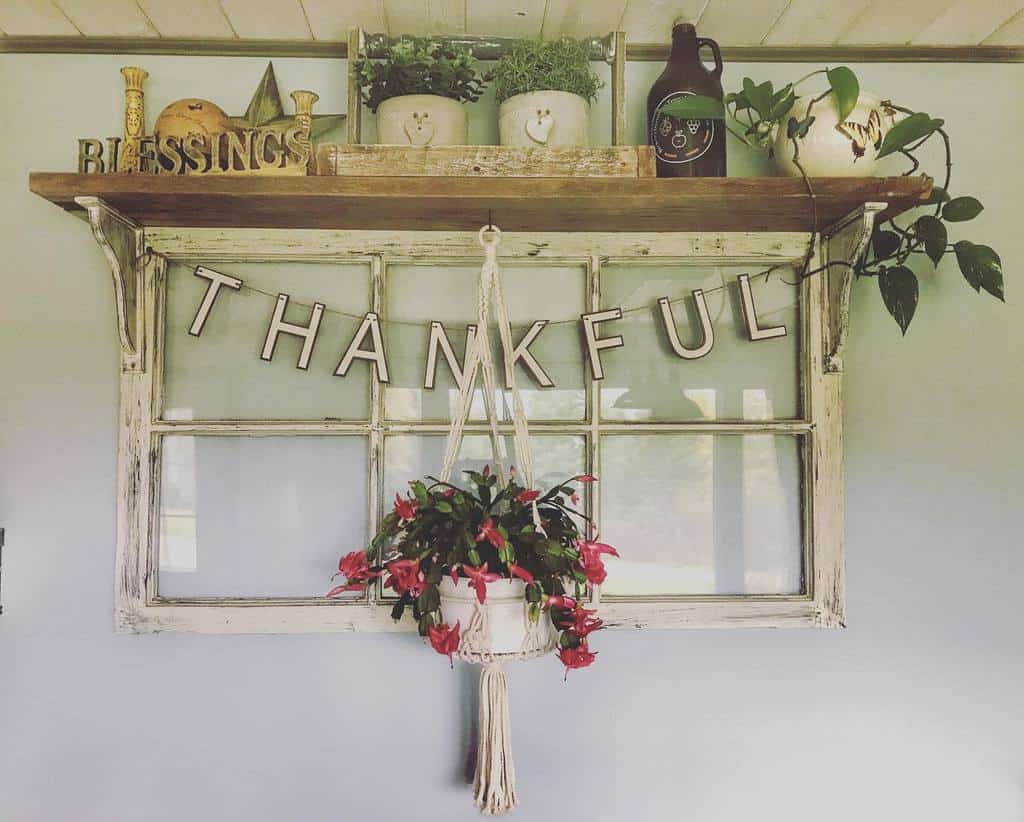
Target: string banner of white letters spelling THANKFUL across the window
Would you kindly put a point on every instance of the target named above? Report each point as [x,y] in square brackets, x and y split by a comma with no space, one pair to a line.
[368,342]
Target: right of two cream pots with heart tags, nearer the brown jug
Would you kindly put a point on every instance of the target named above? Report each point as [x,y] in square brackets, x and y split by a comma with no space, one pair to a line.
[544,119]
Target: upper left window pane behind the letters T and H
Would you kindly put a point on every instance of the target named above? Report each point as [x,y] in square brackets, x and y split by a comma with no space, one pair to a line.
[221,375]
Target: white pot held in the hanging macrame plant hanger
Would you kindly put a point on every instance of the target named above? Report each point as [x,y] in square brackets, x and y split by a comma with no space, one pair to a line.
[505,628]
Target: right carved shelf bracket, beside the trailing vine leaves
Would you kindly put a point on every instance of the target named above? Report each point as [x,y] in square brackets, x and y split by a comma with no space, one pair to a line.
[845,243]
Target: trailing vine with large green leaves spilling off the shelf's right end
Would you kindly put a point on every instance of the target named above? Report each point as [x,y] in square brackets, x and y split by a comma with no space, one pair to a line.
[766,118]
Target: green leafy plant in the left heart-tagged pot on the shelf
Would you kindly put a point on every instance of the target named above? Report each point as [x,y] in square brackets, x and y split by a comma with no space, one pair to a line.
[421,66]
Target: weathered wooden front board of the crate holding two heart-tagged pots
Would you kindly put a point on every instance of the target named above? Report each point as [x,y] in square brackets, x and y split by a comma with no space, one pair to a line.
[484,161]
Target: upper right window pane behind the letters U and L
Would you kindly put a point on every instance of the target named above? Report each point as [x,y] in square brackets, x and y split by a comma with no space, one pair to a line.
[738,380]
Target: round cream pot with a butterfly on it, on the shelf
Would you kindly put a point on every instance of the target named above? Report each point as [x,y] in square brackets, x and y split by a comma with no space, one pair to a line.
[832,152]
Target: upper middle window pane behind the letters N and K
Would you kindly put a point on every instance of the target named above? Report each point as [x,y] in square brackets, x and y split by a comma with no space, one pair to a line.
[418,294]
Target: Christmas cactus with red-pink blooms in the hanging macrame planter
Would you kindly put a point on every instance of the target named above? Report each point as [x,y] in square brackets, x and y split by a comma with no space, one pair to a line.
[480,537]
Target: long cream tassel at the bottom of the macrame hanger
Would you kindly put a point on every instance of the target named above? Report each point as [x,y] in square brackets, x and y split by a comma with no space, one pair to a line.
[495,781]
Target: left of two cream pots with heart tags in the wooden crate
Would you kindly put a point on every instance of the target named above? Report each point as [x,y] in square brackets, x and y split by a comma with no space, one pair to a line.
[422,120]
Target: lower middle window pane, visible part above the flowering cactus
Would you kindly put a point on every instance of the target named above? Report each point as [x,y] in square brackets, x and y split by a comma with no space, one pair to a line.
[410,457]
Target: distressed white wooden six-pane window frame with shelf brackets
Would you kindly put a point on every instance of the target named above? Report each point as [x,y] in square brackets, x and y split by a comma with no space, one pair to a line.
[140,287]
